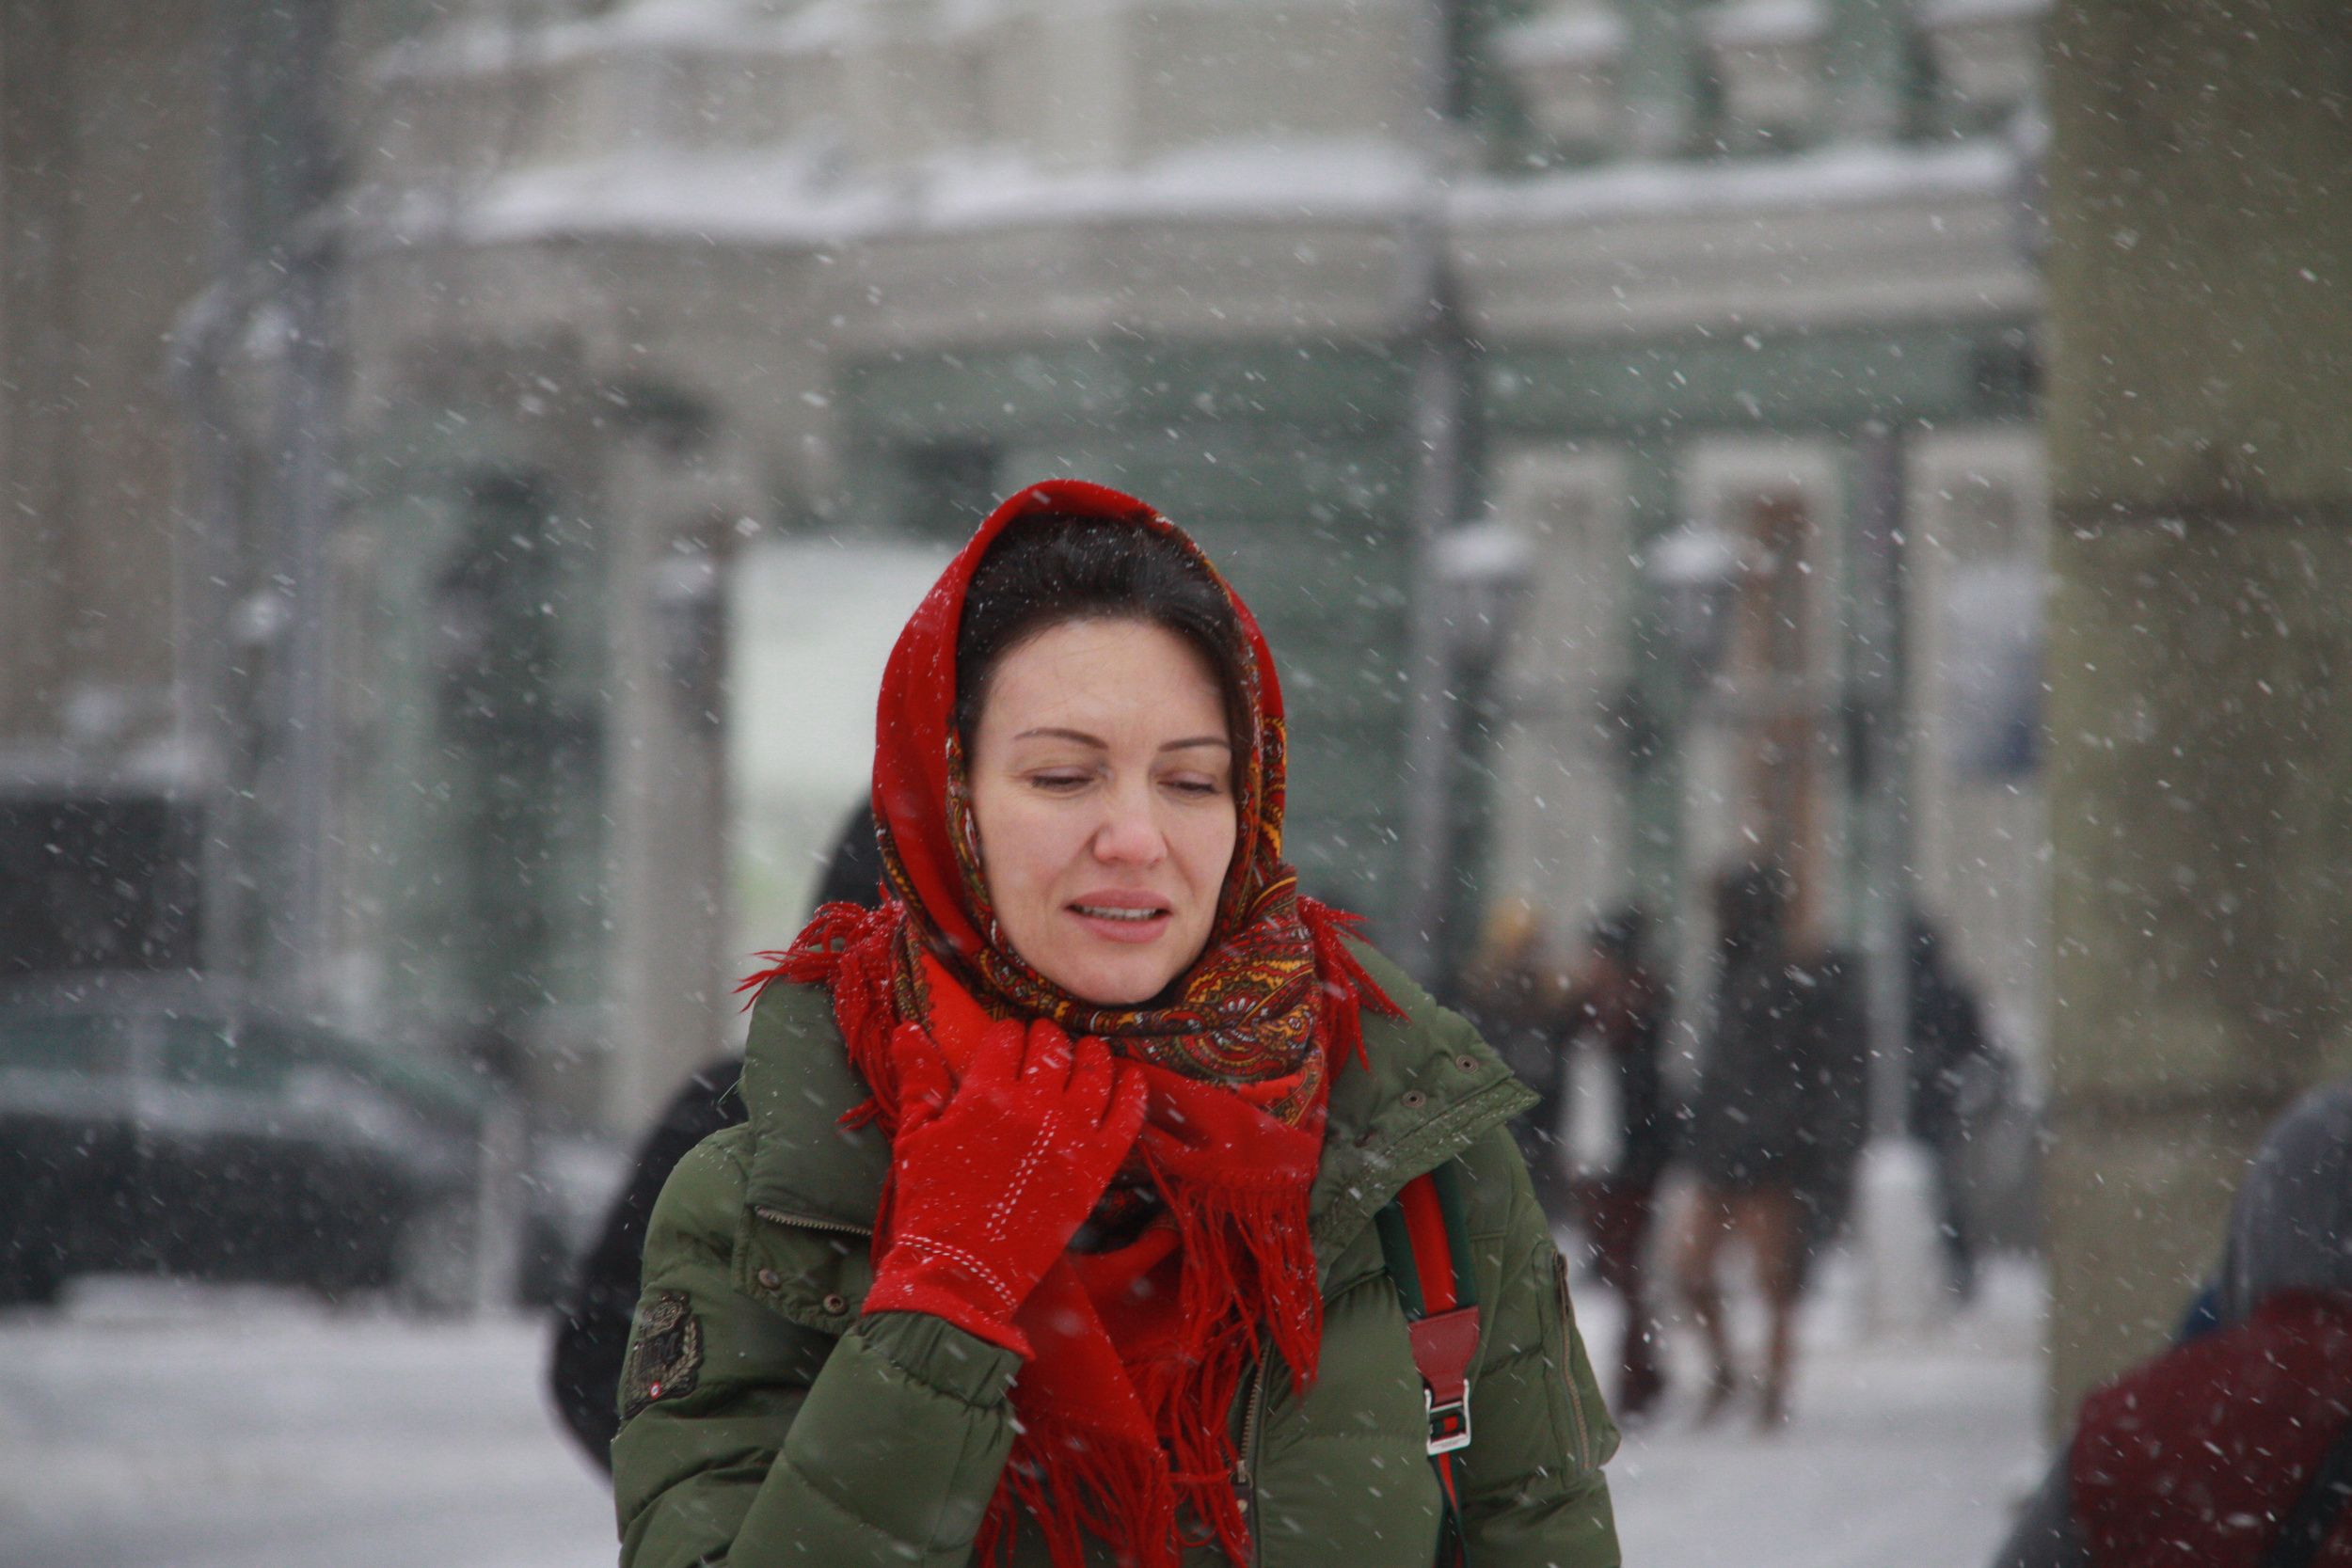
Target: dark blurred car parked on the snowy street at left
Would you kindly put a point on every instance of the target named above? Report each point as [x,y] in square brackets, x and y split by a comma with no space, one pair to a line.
[163,1125]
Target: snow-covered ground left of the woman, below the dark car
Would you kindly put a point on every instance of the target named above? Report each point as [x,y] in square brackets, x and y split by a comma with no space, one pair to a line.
[154,1428]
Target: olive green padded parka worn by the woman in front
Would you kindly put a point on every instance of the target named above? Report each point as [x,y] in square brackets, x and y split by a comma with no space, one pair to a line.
[766,1423]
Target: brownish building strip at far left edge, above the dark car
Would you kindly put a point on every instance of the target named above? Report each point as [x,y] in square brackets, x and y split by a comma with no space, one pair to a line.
[107,236]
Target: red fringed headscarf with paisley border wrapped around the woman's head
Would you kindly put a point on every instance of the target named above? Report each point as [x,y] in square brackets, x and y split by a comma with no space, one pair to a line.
[1140,1351]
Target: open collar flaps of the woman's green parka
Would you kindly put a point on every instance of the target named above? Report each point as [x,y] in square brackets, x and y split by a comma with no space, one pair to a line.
[1431,1090]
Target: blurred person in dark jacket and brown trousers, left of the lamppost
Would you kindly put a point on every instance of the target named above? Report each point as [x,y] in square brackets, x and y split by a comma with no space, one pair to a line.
[1756,1130]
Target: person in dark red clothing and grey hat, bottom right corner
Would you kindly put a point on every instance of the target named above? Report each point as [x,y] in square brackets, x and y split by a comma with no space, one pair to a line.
[2236,1447]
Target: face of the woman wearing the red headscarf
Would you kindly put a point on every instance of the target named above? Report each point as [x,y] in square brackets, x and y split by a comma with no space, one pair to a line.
[1102,786]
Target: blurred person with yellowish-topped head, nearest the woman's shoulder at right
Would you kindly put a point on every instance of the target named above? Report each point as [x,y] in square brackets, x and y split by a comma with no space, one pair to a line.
[1516,996]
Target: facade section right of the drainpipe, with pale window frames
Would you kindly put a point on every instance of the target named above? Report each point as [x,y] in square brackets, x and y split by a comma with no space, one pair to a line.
[1791,222]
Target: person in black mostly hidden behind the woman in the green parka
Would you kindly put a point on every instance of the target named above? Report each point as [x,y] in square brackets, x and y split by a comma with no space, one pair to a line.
[594,1313]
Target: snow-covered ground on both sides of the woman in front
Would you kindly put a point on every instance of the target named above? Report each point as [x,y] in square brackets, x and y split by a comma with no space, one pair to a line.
[163,1428]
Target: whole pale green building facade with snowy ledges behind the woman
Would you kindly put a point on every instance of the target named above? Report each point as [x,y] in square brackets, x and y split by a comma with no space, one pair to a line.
[669,274]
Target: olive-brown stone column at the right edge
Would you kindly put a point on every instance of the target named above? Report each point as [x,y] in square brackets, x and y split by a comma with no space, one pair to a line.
[2200,744]
